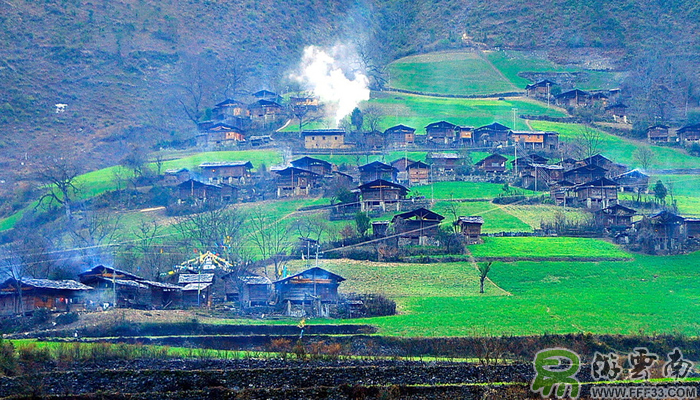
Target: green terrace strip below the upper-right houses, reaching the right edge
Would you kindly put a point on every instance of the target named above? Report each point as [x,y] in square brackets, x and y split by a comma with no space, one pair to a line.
[621,150]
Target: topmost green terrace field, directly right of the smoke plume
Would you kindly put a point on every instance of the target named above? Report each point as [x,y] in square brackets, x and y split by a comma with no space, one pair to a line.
[452,73]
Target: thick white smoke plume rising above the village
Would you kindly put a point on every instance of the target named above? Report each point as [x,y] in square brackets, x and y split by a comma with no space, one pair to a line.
[334,77]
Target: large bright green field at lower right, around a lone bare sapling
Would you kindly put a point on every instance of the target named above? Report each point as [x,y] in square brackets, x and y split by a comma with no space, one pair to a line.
[646,294]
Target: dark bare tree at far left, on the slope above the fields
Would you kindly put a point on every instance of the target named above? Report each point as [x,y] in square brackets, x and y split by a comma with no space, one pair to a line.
[60,178]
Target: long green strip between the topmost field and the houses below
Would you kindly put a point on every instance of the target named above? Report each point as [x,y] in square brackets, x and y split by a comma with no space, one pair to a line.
[418,111]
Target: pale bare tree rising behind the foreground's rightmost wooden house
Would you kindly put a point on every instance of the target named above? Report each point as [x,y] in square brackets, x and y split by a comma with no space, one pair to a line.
[270,237]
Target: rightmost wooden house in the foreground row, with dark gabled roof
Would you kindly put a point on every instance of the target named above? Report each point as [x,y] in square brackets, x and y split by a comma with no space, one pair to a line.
[315,289]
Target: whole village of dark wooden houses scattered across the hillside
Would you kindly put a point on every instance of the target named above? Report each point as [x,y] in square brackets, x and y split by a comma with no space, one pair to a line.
[375,188]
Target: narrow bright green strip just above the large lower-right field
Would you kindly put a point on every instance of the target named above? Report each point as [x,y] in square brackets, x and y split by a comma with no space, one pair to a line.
[524,247]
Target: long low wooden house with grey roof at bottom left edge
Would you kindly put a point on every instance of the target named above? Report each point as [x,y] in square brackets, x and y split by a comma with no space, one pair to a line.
[59,296]
